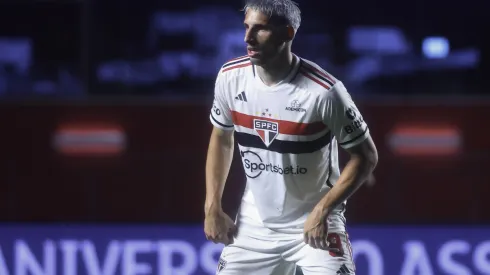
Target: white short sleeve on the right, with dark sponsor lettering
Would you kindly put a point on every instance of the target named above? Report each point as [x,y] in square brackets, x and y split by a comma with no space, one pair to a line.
[341,116]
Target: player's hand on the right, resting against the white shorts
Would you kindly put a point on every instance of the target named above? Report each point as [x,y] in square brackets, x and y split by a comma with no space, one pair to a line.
[316,229]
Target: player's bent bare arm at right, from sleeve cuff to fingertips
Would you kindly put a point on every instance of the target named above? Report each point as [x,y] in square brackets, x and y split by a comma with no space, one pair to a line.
[363,160]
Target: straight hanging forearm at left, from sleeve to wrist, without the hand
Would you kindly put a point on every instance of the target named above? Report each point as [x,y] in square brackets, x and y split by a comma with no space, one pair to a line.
[220,154]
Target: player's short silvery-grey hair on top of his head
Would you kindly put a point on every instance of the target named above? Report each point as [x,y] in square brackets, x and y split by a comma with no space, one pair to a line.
[286,11]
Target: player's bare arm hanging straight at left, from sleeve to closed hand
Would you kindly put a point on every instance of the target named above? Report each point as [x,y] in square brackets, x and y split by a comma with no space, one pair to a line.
[218,226]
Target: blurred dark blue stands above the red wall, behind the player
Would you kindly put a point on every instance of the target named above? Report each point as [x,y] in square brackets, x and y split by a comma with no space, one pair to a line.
[89,48]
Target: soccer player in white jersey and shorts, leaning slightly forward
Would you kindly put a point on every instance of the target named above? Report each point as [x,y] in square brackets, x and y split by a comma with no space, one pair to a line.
[288,116]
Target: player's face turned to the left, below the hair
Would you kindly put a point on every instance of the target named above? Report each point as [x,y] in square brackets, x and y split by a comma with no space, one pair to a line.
[264,40]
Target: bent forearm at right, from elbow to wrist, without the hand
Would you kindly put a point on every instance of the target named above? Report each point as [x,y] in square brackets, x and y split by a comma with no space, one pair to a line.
[355,173]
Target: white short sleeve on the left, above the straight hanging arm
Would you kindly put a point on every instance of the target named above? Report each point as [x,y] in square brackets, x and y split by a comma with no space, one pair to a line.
[220,112]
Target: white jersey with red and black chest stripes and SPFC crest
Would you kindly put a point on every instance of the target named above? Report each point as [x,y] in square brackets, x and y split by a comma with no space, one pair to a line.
[287,136]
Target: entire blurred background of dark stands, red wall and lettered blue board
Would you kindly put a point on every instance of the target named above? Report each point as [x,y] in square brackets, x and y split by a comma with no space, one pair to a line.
[104,129]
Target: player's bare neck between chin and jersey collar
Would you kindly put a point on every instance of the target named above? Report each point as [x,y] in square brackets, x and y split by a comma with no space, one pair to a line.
[277,69]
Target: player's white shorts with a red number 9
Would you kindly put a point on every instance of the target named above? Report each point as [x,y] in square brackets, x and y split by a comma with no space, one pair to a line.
[260,251]
